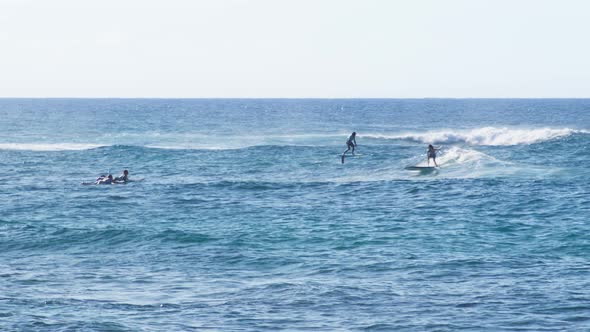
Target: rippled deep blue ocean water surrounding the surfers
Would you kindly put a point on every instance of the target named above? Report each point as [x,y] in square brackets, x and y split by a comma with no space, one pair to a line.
[245,218]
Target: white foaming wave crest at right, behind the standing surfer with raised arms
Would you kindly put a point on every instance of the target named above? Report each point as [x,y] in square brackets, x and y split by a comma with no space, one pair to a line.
[491,136]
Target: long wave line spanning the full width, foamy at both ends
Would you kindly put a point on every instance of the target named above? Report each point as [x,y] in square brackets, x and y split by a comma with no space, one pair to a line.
[487,136]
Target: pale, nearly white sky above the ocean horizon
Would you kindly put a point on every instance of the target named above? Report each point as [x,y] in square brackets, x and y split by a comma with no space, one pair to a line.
[295,48]
